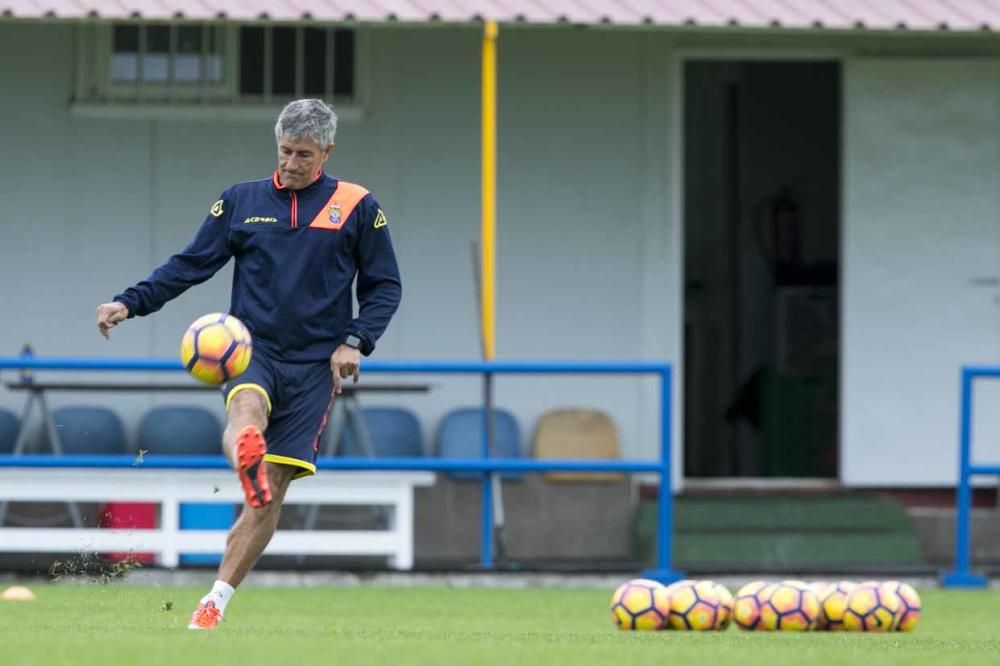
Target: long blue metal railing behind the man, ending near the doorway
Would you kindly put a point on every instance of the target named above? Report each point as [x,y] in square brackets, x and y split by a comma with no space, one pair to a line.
[486,465]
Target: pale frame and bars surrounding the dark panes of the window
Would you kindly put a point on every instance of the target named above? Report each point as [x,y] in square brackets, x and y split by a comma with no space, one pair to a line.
[97,96]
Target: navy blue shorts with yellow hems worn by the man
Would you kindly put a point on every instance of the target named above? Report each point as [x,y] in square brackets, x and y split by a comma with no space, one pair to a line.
[299,396]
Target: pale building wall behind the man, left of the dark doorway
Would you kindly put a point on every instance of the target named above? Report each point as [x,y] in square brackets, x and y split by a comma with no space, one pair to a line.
[588,264]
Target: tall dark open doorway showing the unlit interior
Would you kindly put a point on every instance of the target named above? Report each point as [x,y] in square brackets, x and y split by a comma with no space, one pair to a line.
[762,251]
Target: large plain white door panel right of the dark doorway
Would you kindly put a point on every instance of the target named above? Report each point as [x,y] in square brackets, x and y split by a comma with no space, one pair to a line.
[921,263]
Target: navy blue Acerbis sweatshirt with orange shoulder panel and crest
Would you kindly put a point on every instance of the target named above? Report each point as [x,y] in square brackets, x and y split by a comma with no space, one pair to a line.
[297,253]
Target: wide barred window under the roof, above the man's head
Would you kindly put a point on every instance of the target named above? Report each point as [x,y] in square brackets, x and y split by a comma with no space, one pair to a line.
[215,64]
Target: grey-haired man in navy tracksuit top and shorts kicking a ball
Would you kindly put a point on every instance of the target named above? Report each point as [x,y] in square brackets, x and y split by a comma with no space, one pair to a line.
[299,239]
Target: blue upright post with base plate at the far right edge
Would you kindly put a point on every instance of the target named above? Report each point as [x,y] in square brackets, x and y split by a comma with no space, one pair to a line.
[962,576]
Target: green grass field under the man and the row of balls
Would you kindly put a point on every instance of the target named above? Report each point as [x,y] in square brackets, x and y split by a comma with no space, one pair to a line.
[120,624]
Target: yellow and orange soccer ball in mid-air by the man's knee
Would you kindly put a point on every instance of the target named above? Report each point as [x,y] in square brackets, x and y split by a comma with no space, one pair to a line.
[216,348]
